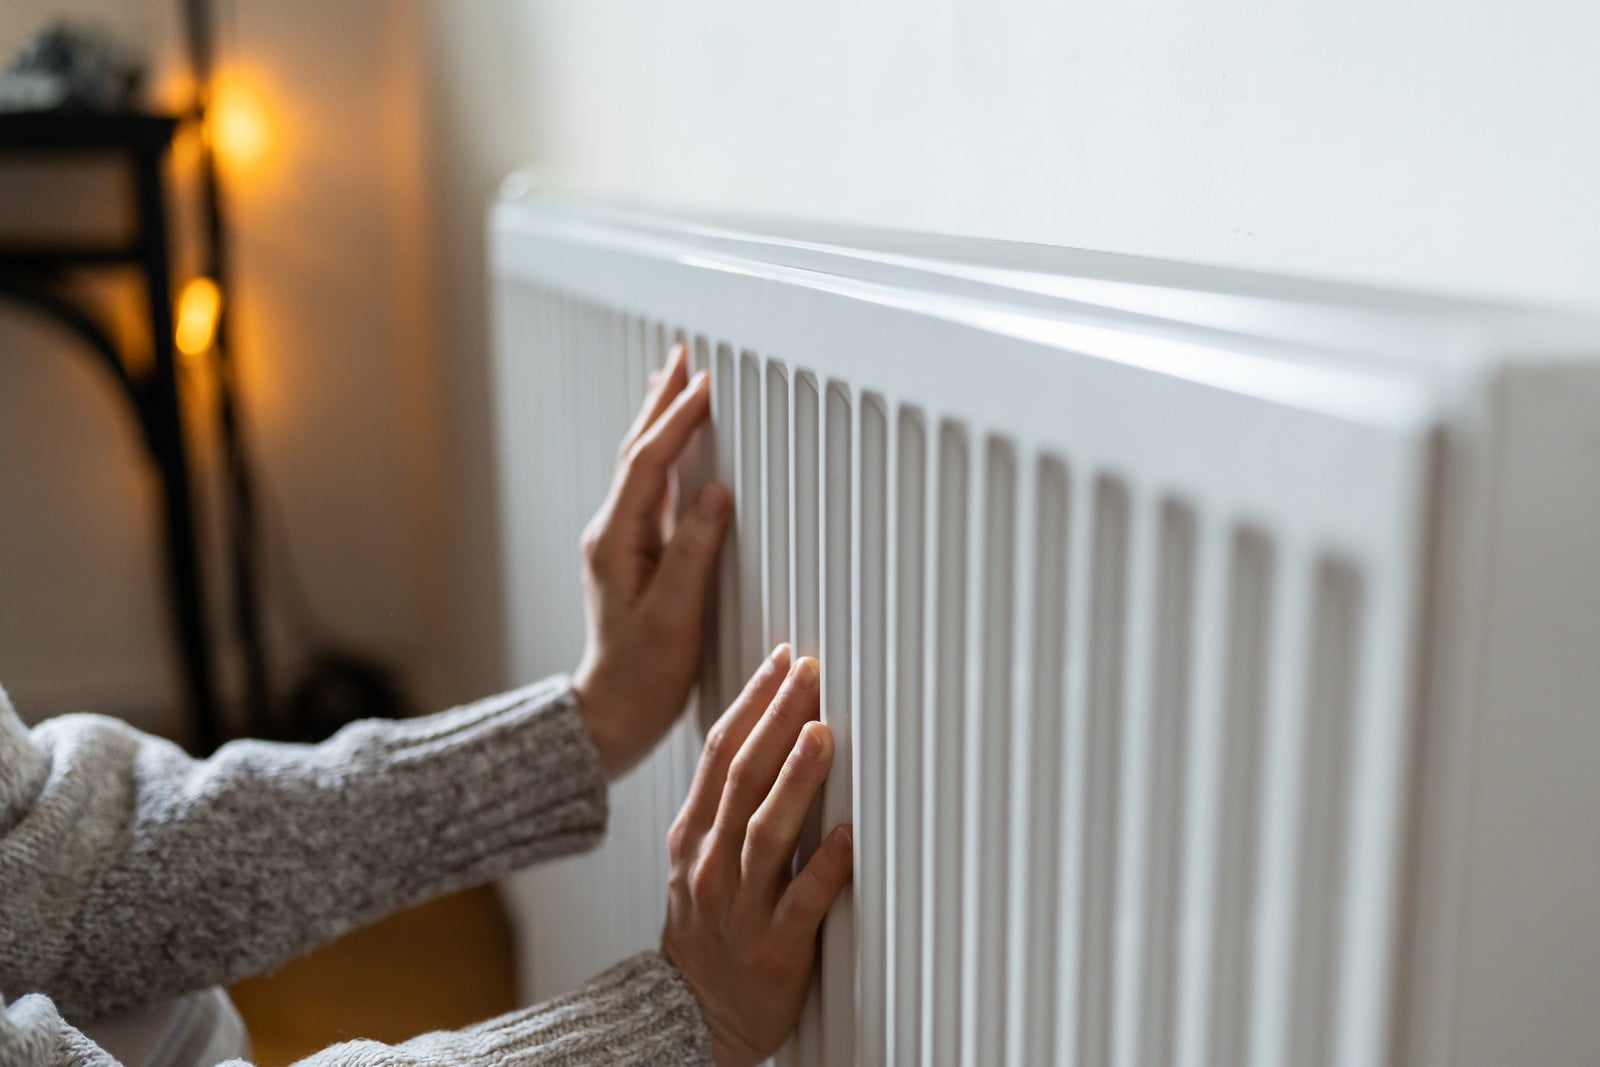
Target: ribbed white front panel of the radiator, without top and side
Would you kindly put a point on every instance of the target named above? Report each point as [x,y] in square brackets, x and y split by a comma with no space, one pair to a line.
[1118,641]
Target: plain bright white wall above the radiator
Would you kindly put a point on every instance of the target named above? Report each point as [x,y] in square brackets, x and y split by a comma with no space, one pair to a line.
[1446,145]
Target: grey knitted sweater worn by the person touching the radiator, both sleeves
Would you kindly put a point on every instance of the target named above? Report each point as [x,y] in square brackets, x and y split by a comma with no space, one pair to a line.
[132,873]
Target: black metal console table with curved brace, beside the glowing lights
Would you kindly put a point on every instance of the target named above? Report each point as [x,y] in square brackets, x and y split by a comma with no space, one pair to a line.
[36,276]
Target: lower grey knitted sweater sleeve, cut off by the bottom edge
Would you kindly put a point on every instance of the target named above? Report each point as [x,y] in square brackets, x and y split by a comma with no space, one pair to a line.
[641,1012]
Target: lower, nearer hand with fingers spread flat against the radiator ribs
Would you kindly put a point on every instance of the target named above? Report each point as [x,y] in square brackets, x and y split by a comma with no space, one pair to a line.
[738,927]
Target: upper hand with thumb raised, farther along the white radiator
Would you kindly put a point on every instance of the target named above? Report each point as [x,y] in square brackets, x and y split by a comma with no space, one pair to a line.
[644,581]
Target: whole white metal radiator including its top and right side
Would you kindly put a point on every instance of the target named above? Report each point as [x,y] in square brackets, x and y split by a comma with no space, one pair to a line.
[1215,660]
